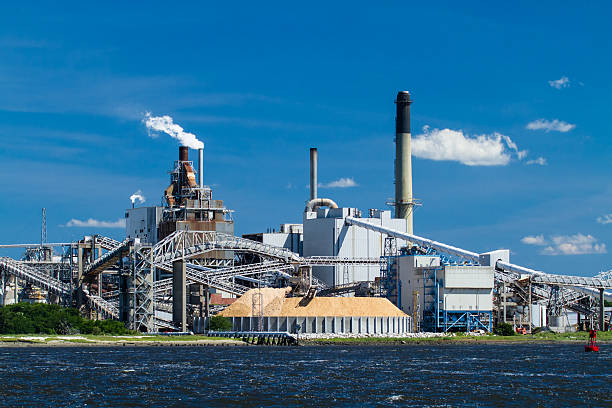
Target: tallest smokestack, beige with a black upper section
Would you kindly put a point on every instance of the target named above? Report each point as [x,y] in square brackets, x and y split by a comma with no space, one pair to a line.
[403,160]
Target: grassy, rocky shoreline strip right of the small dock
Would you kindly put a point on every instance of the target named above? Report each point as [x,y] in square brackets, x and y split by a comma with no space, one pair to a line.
[548,337]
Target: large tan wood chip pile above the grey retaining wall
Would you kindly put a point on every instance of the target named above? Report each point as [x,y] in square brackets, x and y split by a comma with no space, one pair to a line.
[276,304]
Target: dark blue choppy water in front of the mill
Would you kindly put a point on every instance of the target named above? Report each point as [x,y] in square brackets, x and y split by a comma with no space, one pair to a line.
[441,375]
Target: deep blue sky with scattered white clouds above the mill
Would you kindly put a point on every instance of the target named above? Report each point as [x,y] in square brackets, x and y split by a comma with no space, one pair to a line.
[261,84]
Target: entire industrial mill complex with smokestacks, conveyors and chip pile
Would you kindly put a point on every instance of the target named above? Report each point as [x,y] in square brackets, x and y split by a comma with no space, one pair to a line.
[343,270]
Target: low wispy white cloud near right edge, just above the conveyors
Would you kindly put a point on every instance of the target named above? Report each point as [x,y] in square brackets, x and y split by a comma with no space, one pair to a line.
[577,244]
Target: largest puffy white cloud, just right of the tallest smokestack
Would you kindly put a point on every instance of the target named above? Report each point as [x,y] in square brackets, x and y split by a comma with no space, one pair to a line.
[453,145]
